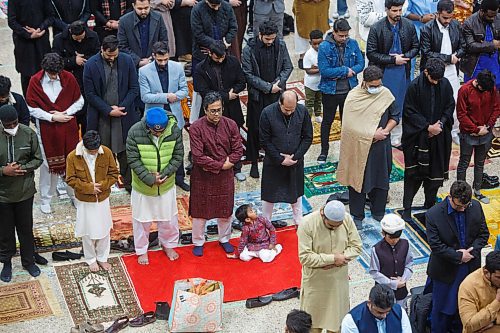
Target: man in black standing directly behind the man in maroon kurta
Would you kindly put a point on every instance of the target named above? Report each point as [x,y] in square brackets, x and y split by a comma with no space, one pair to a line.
[222,72]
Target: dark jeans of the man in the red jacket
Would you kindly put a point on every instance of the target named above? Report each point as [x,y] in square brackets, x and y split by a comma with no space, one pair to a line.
[480,153]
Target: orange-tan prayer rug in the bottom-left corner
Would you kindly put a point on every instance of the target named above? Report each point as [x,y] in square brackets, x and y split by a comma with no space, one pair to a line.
[27,300]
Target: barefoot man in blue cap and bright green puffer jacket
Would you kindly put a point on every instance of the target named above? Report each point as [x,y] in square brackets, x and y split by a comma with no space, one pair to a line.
[153,197]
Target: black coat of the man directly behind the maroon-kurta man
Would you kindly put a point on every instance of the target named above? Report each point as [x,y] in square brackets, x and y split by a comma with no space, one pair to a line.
[205,80]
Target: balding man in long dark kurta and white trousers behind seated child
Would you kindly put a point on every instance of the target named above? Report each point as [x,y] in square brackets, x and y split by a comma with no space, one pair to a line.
[285,134]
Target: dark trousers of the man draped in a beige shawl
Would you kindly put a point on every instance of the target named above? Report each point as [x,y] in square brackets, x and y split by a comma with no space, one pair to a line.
[357,201]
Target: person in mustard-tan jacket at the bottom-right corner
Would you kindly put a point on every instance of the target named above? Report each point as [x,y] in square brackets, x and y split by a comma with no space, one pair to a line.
[479,297]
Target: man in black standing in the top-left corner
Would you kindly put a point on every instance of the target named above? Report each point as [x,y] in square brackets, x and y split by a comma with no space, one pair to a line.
[30,21]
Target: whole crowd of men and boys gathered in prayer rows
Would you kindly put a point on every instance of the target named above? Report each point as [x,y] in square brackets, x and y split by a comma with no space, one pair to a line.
[119,87]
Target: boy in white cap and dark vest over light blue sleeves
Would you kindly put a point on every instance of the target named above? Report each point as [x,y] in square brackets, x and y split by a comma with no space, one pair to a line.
[391,259]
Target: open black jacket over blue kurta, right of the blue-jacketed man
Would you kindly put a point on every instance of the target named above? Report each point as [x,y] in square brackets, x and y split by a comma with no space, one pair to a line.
[380,40]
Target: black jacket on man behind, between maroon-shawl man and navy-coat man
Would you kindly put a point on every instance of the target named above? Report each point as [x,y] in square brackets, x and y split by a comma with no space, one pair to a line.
[66,47]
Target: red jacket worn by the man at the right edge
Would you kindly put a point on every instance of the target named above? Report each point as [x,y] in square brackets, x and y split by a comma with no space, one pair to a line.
[475,108]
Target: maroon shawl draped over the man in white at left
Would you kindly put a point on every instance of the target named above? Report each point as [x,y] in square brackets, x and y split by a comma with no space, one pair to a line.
[58,139]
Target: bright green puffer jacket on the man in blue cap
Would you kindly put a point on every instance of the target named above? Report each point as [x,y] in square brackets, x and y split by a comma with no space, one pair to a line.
[154,158]
